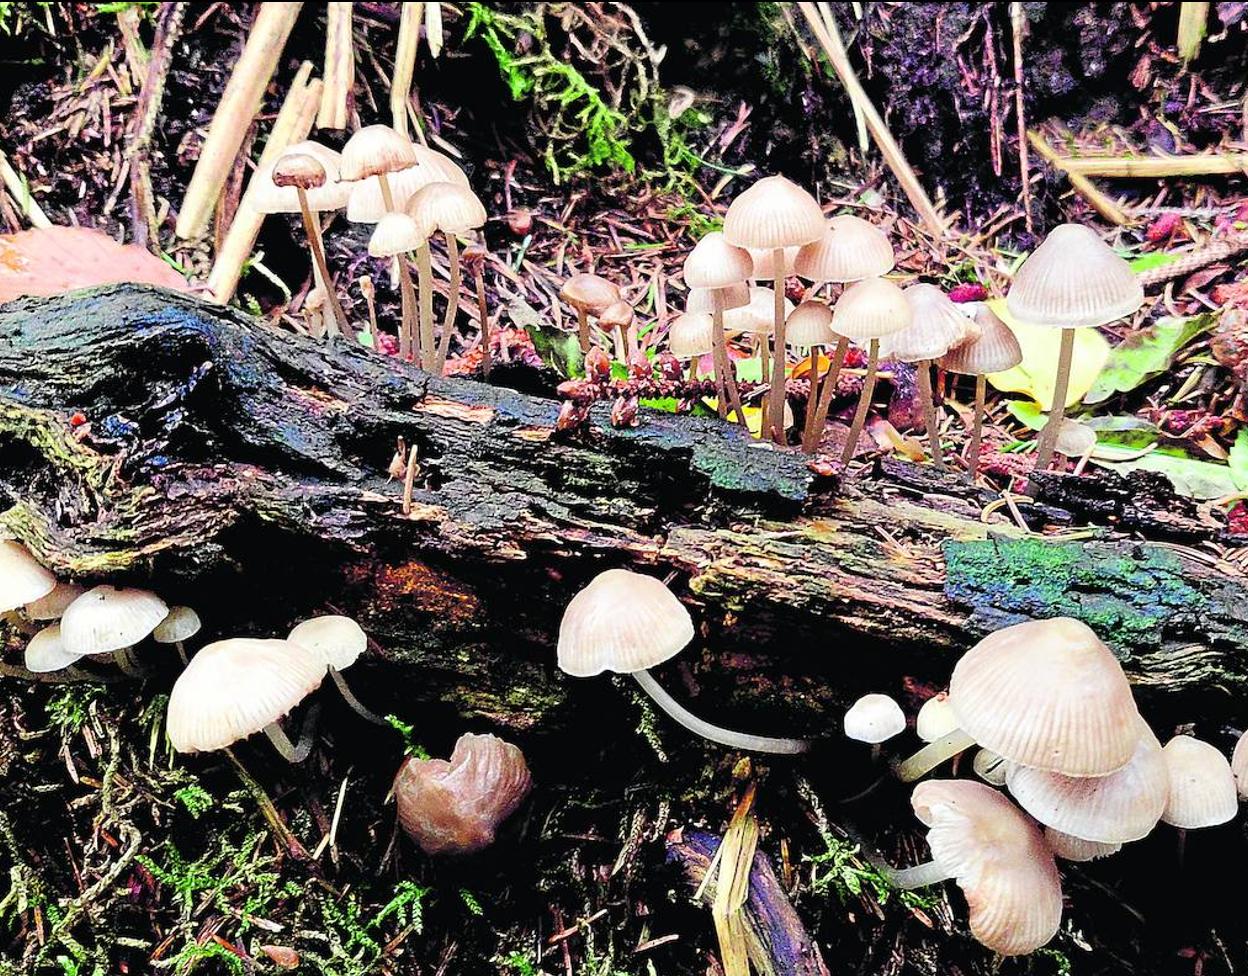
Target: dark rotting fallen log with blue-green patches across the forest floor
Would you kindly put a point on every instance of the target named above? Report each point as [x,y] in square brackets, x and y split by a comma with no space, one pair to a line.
[149,436]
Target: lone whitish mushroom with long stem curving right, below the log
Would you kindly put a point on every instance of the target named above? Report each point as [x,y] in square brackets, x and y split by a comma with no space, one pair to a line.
[626,622]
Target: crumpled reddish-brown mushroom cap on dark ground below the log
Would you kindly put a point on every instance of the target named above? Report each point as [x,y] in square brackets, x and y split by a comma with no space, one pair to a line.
[457,807]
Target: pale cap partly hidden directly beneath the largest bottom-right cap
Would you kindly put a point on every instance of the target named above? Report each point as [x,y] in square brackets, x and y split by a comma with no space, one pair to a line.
[1116,809]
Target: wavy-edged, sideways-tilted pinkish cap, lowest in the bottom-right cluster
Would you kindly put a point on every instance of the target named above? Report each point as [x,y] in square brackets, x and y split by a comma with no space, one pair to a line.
[1000,861]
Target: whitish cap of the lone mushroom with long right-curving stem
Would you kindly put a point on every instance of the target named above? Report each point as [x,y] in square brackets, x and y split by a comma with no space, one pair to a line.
[622,622]
